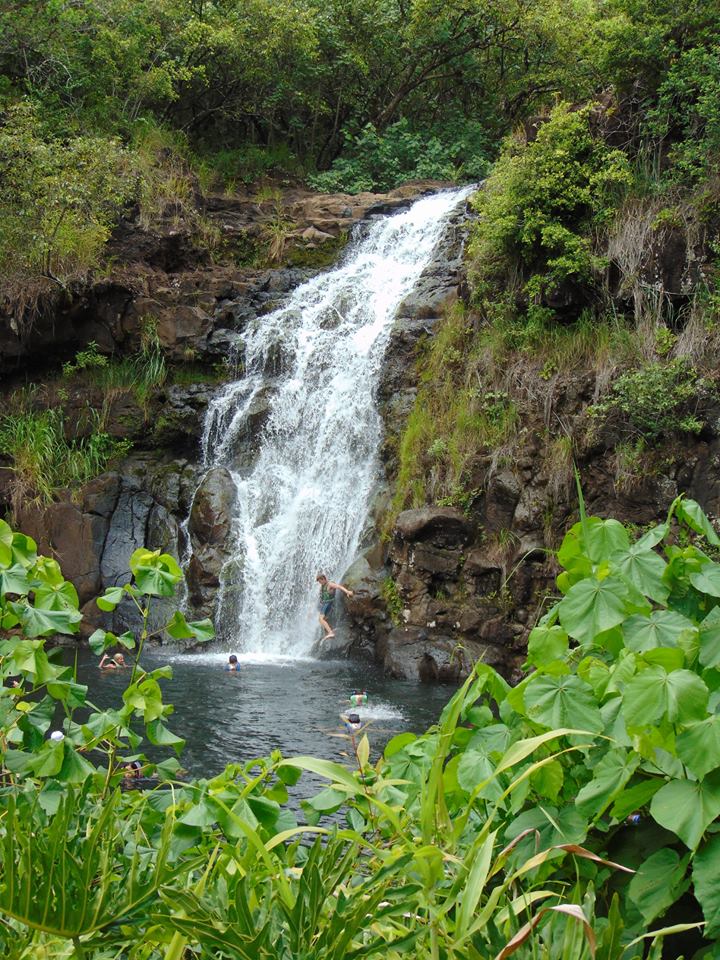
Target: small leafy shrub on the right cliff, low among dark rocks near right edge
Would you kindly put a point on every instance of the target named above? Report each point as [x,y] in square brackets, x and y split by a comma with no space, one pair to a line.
[658,399]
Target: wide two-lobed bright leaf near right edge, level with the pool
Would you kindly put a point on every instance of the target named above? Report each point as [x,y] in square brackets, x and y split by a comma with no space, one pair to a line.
[653,694]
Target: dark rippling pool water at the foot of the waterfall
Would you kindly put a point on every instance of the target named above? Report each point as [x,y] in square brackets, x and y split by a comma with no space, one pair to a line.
[271,704]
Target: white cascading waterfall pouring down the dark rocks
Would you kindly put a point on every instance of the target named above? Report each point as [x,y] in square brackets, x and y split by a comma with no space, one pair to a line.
[304,501]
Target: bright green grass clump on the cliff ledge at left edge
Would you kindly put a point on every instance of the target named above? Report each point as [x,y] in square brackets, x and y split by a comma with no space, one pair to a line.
[44,459]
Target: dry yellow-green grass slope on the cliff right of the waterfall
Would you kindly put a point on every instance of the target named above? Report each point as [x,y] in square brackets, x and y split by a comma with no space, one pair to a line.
[482,379]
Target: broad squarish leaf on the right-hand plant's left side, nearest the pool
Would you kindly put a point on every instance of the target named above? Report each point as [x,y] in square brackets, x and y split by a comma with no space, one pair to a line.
[563,701]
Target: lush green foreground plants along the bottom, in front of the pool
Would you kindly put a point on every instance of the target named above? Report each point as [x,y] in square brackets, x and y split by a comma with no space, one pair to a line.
[489,835]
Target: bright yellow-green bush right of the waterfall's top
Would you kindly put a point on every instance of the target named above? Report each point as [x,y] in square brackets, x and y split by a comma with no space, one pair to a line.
[542,201]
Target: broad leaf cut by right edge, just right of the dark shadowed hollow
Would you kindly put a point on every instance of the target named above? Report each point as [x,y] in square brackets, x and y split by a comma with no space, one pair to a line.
[688,807]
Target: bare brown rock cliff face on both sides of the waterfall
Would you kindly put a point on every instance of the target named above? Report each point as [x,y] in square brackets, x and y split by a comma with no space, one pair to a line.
[444,587]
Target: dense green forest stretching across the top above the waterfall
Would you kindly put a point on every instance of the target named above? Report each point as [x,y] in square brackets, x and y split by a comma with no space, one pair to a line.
[109,103]
